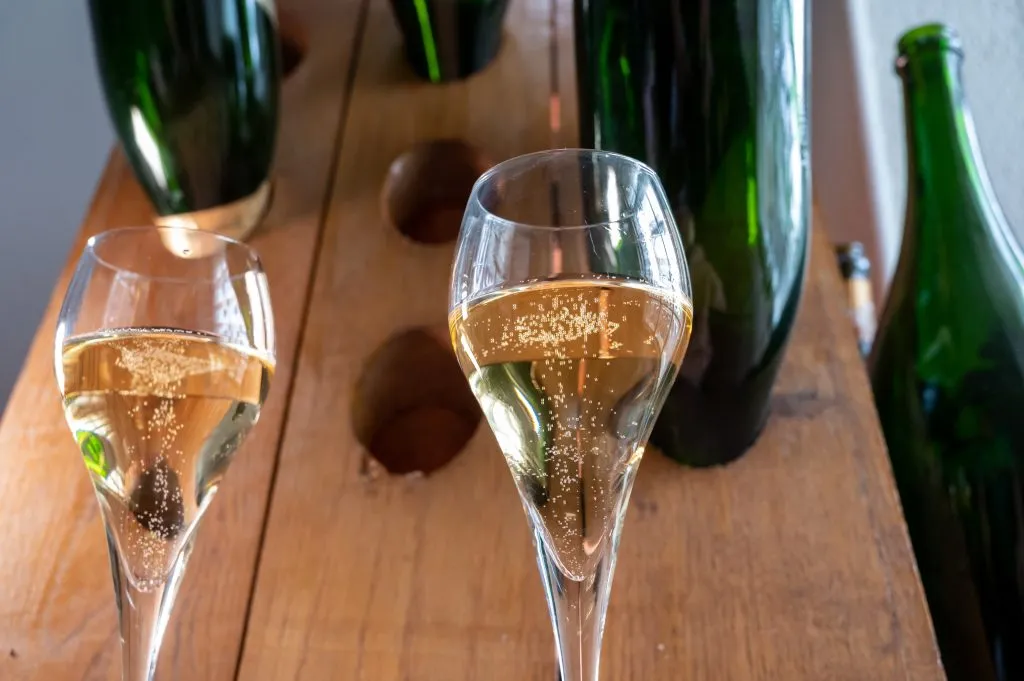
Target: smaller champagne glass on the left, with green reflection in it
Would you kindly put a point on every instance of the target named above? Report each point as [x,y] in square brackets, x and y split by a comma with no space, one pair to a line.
[164,354]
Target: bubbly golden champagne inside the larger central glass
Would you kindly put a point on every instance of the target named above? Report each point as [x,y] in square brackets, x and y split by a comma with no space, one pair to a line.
[565,373]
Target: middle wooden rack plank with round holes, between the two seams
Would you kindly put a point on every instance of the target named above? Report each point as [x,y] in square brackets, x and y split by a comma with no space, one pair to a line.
[390,578]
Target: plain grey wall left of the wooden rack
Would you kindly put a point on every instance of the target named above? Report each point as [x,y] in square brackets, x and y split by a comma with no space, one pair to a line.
[55,139]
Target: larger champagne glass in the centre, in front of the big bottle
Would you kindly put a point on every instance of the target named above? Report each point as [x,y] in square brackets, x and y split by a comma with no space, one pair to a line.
[571,314]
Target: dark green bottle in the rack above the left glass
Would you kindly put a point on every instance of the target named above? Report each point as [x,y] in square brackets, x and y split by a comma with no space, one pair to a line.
[193,91]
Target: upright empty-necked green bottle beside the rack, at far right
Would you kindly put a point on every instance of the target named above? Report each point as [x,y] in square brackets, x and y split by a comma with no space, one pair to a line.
[948,371]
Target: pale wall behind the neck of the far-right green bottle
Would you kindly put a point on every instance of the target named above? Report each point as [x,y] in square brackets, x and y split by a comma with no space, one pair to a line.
[994,73]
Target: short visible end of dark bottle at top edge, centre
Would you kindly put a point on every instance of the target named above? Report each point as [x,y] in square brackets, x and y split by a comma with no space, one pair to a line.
[450,39]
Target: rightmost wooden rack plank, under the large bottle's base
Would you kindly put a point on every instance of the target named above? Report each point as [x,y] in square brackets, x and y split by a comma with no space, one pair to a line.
[795,563]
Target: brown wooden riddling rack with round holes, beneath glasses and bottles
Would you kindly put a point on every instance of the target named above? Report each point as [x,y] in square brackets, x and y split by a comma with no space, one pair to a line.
[792,565]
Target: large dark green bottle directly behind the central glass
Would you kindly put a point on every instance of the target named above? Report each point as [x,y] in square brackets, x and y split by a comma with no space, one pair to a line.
[713,95]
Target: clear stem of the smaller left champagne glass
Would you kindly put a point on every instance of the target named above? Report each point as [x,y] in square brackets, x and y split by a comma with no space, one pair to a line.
[144,613]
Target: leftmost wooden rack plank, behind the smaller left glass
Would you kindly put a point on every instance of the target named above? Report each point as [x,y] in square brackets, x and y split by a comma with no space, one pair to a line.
[58,618]
